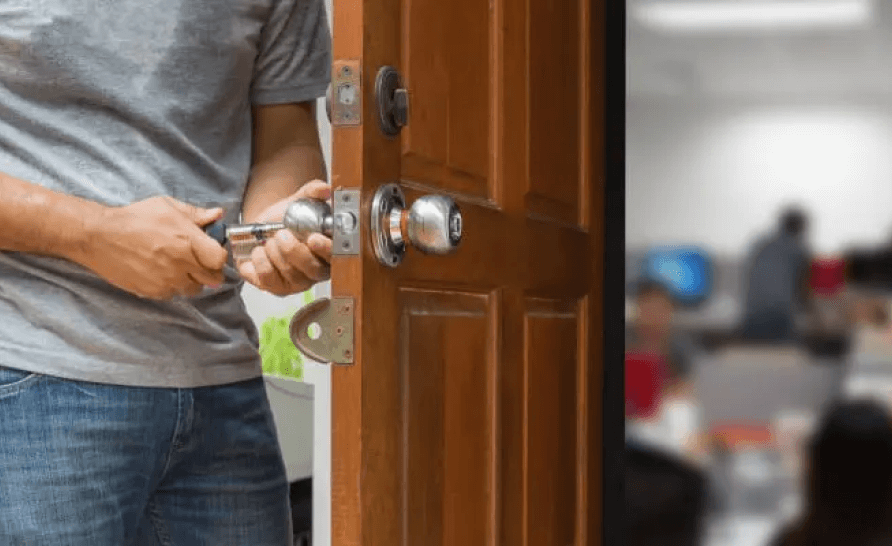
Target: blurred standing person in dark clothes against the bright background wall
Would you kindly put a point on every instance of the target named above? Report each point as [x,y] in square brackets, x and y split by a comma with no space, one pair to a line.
[777,281]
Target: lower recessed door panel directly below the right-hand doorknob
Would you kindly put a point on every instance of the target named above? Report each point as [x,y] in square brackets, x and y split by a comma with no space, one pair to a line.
[447,420]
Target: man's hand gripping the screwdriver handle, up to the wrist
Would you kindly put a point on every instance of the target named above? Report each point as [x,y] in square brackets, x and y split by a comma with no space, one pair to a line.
[155,248]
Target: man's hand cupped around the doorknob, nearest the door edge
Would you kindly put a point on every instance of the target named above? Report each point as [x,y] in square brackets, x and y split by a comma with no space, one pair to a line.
[284,265]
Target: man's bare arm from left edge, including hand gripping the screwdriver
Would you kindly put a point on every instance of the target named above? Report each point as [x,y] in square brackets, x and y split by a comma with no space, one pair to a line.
[153,248]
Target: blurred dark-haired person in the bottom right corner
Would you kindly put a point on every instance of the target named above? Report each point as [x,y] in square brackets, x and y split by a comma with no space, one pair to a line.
[849,486]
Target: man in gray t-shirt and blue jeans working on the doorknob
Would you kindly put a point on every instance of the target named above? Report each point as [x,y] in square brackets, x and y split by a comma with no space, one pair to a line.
[132,408]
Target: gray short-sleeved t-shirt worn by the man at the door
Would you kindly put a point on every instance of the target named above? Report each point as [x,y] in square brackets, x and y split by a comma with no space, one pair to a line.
[120,101]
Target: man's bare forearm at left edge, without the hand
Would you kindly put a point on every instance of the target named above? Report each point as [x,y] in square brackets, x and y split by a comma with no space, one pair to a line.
[40,221]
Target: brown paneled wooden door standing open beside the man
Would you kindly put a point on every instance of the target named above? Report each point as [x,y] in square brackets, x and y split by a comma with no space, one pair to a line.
[471,415]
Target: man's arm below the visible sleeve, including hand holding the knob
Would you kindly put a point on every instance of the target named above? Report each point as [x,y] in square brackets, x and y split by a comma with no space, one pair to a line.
[287,164]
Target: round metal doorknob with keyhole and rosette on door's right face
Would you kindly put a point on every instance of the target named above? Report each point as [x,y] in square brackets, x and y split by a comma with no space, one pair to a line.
[432,225]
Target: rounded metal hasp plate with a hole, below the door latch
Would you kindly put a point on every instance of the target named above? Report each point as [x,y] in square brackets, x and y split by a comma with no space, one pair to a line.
[323,330]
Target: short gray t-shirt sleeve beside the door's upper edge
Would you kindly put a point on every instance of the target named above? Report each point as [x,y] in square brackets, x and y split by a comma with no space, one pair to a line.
[294,58]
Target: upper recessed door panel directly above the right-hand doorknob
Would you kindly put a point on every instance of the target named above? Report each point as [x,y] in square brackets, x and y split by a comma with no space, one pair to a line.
[447,142]
